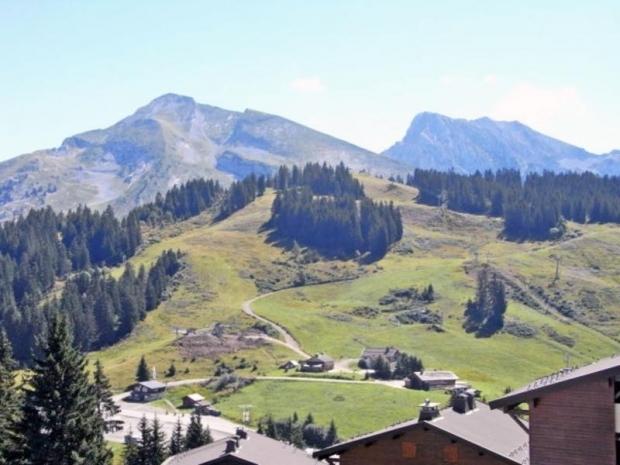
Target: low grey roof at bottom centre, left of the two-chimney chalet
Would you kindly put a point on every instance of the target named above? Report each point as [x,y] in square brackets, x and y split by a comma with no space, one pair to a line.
[256,449]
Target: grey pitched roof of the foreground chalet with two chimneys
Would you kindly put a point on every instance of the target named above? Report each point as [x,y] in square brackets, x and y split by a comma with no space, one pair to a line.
[491,430]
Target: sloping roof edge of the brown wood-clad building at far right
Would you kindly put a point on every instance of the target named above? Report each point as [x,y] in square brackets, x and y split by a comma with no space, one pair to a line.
[602,368]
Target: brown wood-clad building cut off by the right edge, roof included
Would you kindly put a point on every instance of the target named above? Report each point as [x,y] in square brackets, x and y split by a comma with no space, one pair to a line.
[571,415]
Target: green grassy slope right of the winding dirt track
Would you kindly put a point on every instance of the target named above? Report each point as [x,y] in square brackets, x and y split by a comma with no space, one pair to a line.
[439,247]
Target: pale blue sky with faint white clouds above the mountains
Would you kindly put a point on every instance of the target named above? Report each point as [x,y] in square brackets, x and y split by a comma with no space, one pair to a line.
[358,70]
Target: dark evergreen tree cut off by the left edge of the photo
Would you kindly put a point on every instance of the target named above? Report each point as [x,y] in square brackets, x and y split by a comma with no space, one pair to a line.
[9,404]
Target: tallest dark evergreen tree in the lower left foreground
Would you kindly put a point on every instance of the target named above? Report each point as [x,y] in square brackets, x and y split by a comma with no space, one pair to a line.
[61,424]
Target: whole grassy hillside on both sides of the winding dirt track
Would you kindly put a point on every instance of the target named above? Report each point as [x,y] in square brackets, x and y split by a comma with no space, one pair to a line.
[232,261]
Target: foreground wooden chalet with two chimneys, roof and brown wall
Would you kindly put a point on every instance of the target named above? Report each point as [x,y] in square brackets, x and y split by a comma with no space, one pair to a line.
[470,433]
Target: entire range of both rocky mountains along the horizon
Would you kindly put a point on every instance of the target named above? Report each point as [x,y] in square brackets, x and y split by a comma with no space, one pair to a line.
[174,138]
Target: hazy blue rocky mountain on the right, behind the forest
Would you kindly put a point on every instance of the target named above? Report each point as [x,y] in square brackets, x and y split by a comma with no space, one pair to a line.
[435,141]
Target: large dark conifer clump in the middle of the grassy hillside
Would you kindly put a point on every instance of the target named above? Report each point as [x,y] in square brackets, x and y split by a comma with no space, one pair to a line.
[325,208]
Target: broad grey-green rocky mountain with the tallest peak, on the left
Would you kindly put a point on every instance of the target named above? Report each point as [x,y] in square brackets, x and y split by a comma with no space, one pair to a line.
[170,140]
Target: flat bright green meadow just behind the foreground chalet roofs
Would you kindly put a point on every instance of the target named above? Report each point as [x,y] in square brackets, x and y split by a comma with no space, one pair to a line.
[356,408]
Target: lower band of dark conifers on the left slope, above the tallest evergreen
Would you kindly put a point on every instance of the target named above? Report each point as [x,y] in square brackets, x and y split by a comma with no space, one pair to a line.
[99,309]
